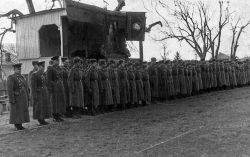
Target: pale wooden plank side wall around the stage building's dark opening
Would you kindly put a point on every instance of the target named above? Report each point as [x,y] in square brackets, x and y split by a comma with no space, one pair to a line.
[27,33]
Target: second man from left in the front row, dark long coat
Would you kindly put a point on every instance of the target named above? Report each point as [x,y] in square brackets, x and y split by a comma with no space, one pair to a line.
[42,108]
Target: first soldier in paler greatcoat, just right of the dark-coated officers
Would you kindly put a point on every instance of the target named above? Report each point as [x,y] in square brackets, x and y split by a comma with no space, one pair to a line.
[76,96]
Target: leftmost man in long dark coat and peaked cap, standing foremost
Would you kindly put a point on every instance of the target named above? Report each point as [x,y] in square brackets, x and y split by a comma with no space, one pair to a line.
[18,97]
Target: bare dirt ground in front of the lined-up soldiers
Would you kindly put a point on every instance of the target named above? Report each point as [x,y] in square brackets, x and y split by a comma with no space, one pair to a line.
[210,125]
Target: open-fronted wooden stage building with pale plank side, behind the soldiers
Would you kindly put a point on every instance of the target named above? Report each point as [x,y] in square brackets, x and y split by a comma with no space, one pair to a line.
[77,29]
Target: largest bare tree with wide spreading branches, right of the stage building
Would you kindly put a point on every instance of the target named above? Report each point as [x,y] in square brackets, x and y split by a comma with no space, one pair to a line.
[192,25]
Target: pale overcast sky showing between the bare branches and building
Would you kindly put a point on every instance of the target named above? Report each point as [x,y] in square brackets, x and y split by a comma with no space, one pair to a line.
[151,48]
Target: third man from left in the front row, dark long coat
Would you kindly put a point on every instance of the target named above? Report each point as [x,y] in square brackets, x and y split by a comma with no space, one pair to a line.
[56,89]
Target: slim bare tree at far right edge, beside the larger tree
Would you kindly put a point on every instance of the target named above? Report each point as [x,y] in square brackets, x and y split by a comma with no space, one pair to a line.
[236,32]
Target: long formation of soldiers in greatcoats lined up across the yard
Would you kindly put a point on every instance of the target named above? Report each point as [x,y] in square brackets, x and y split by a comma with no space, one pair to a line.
[102,86]
